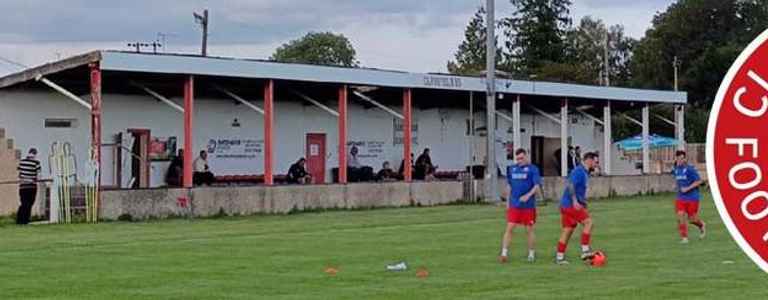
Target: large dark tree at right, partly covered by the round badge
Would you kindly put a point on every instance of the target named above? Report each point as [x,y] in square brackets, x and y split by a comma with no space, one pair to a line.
[706,36]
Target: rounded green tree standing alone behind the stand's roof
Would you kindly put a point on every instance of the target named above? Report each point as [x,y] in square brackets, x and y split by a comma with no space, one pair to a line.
[324,48]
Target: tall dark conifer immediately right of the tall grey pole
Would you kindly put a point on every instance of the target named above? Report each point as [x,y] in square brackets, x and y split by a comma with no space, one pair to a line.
[535,34]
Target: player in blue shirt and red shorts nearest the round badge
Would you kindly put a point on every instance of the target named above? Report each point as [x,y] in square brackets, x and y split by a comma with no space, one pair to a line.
[688,182]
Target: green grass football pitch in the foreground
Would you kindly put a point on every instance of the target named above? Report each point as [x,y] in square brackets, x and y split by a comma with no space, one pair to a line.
[283,257]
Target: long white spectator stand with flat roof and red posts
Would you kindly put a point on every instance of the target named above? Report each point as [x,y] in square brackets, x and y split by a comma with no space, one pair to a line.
[143,102]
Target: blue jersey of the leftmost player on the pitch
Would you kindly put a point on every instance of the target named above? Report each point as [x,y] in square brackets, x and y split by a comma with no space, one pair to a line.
[521,179]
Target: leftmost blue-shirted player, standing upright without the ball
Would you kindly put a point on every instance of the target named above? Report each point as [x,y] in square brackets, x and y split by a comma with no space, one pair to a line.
[524,181]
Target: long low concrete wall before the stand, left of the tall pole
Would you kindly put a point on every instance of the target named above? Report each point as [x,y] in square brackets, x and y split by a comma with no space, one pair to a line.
[211,201]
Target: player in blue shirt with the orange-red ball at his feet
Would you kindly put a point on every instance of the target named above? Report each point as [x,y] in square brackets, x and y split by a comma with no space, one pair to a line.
[573,208]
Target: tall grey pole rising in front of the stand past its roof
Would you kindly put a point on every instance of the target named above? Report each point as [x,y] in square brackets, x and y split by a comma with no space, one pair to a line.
[490,166]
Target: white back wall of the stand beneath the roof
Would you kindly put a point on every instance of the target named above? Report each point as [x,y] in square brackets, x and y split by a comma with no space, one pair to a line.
[442,130]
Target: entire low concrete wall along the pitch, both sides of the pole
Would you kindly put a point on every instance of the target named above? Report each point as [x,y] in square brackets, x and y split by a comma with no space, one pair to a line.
[211,201]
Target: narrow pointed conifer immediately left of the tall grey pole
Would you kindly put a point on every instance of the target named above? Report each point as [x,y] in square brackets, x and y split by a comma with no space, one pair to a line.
[470,58]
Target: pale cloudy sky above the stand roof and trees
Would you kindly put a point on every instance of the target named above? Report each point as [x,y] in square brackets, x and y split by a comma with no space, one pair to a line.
[409,35]
